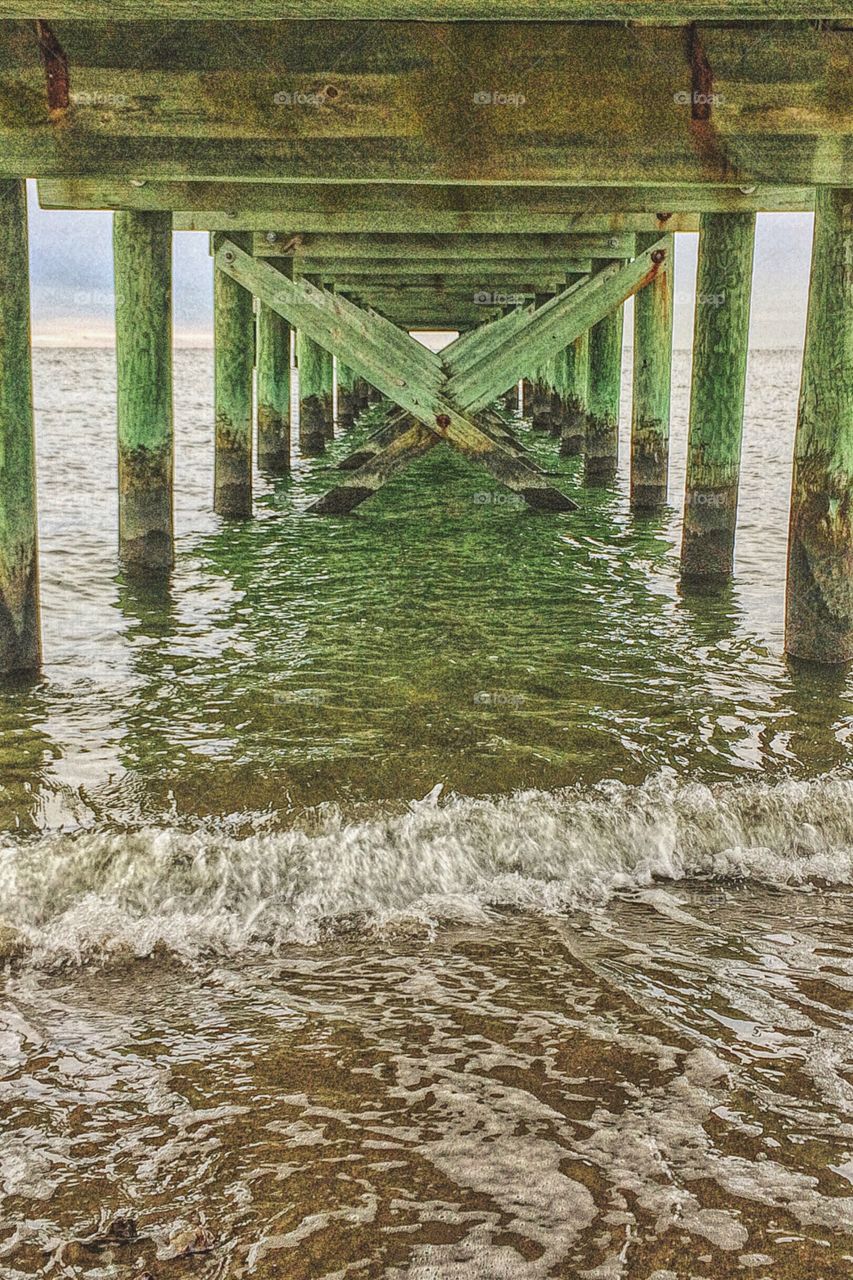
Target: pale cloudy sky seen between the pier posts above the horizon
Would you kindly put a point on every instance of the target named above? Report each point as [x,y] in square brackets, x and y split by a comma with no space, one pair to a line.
[72,281]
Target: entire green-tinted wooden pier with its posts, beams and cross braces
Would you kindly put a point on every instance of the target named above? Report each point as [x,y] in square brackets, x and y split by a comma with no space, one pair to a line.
[441,164]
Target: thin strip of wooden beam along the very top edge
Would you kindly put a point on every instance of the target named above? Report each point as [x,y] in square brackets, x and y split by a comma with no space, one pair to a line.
[658,12]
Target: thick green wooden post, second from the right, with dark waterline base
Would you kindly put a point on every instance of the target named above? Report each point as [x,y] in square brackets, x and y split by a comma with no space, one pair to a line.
[720,350]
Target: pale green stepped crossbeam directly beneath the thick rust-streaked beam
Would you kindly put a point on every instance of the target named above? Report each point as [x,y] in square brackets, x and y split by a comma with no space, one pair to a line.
[263,207]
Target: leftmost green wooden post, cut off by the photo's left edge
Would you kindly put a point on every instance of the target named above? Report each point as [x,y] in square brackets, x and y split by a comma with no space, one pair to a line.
[20,619]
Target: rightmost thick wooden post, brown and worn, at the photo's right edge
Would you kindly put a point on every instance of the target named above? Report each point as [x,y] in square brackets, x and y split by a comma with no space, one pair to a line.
[819,614]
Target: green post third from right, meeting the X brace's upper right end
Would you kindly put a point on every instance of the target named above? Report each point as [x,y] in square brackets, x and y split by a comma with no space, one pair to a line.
[653,383]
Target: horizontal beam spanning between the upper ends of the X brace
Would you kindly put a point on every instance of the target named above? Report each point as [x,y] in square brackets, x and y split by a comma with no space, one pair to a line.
[462,249]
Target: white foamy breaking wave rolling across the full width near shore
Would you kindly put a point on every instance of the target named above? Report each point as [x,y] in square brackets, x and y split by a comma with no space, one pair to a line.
[94,895]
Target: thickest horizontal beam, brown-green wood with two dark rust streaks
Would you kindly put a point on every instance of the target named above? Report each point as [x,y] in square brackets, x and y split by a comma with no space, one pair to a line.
[567,104]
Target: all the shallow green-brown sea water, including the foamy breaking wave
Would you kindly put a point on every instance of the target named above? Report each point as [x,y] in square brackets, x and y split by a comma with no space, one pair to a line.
[434,893]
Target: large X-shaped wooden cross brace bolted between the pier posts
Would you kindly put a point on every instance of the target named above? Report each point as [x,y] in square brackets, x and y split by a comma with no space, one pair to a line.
[445,396]
